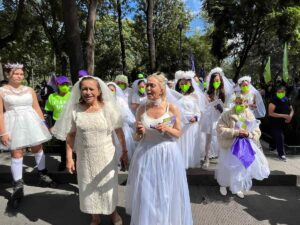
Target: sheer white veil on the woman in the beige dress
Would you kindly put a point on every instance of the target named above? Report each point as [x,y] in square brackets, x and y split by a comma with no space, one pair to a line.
[111,111]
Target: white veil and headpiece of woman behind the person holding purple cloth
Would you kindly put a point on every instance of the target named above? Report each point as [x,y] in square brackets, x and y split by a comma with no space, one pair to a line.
[260,110]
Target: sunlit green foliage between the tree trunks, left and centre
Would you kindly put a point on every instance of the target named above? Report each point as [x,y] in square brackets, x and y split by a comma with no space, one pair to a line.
[42,36]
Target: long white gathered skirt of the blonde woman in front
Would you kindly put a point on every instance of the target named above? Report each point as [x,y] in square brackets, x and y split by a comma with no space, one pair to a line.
[157,191]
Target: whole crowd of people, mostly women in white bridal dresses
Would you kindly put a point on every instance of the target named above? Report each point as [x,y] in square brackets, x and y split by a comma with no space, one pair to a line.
[157,129]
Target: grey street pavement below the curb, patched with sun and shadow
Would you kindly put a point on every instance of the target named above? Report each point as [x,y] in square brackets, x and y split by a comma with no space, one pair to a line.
[262,205]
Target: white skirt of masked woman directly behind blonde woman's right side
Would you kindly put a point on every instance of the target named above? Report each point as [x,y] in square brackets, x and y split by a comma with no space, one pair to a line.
[190,145]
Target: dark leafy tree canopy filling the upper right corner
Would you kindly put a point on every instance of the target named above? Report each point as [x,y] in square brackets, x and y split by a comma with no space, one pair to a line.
[248,31]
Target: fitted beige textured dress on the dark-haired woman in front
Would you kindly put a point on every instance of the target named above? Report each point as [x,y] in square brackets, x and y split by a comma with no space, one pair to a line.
[96,163]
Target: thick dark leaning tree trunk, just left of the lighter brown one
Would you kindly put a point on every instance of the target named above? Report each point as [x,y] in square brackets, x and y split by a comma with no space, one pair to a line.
[73,37]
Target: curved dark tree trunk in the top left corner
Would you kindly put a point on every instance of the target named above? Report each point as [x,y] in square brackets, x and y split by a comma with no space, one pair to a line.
[16,26]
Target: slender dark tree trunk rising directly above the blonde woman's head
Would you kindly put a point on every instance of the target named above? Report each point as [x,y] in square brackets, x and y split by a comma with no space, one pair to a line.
[150,35]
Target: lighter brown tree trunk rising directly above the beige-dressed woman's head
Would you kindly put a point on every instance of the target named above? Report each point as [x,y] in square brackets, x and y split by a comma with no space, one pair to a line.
[90,34]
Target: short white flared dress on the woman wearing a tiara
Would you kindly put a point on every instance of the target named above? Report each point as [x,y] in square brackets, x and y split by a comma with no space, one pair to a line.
[21,121]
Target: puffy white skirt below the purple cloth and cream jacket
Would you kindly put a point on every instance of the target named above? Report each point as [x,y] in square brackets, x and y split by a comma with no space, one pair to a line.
[231,173]
